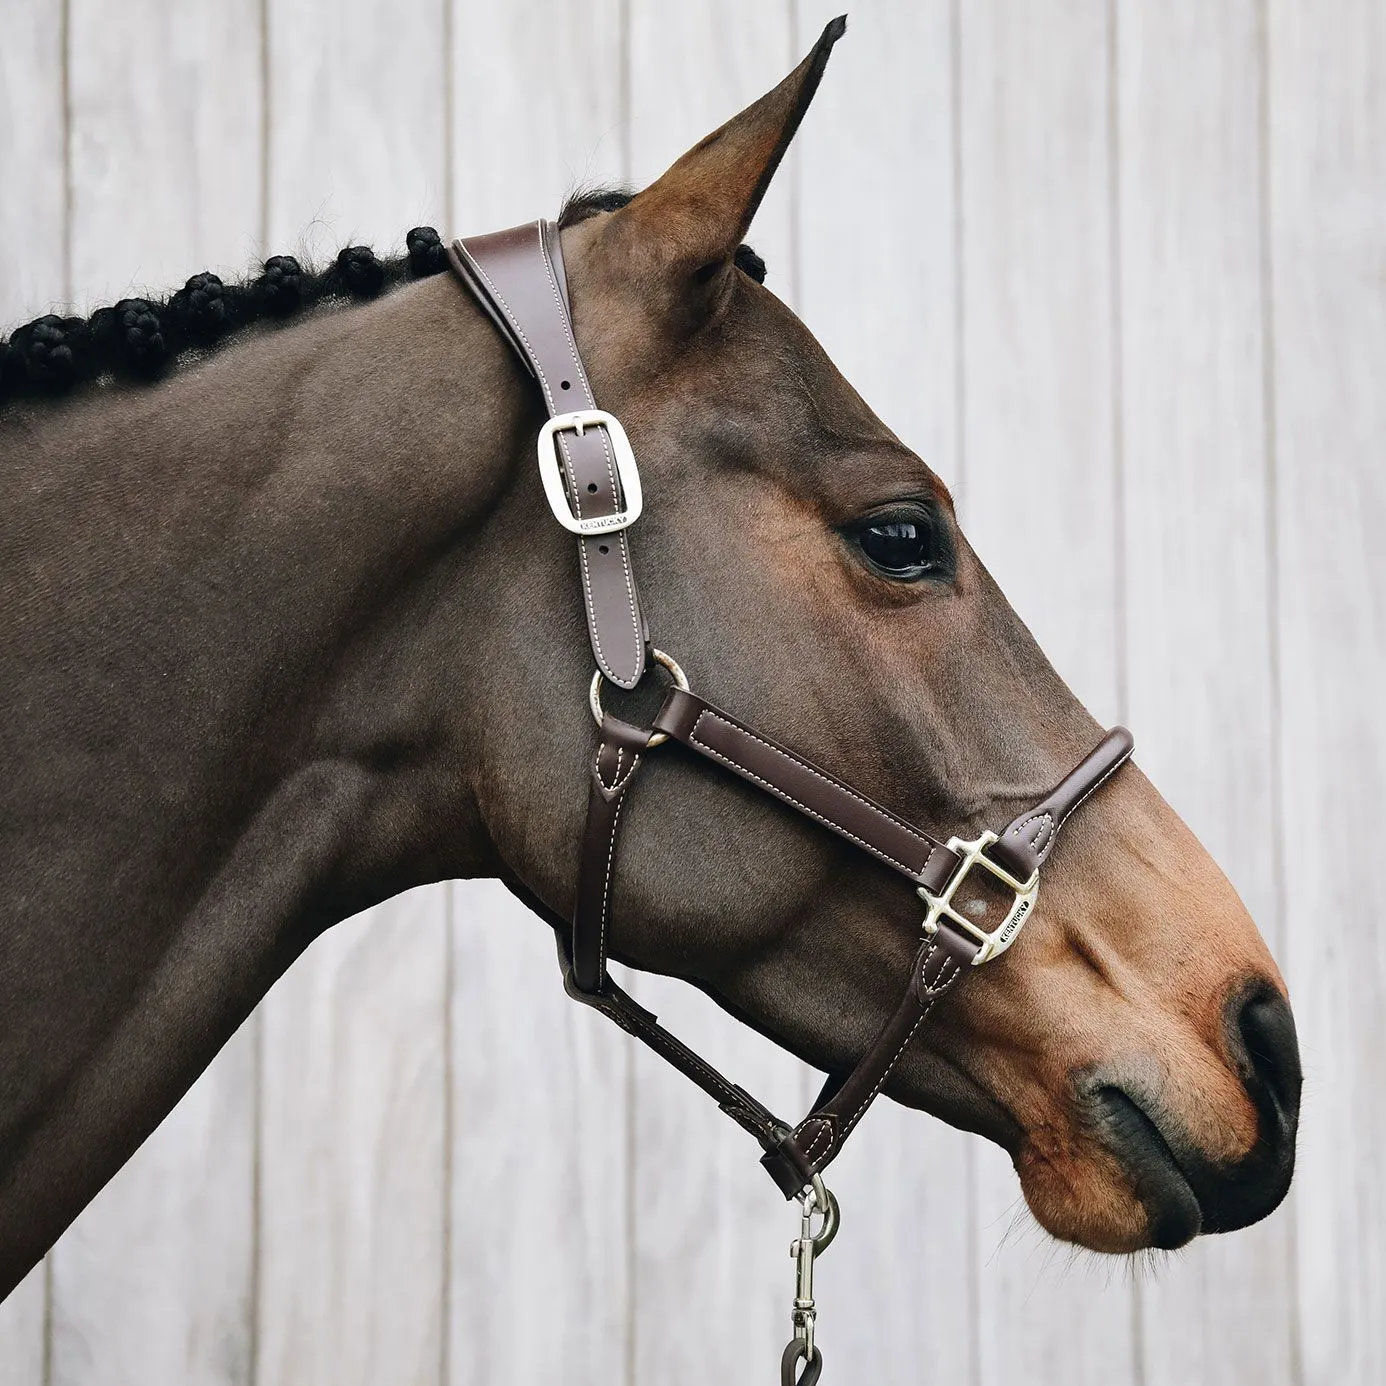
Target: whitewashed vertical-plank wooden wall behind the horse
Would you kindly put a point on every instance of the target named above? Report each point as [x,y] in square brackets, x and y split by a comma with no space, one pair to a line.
[1119,271]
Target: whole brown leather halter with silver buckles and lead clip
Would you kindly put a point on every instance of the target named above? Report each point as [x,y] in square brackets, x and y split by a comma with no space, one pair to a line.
[594,489]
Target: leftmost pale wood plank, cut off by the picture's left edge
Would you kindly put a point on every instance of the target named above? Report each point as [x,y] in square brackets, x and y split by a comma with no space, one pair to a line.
[33,240]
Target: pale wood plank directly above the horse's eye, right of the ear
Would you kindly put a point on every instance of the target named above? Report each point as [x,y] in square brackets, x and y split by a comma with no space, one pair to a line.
[875,214]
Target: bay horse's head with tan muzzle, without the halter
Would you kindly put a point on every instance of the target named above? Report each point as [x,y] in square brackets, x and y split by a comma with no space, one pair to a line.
[1134,1051]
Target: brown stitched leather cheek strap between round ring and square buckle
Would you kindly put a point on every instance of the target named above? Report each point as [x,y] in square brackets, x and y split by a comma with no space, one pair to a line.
[803,785]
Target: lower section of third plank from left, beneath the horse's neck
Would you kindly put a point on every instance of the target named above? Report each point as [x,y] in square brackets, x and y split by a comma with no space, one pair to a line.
[353,1190]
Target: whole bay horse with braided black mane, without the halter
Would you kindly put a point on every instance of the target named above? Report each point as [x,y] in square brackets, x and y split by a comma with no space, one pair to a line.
[288,630]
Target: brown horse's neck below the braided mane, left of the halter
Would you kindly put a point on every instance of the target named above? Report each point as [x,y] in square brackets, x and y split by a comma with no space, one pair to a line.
[218,748]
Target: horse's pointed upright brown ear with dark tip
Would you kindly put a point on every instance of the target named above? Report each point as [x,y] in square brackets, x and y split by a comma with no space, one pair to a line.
[685,228]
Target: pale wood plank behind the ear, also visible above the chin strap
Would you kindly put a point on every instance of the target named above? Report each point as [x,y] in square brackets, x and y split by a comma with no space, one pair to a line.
[708,1222]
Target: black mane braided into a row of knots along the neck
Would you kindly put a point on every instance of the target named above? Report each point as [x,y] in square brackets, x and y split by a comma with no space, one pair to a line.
[139,339]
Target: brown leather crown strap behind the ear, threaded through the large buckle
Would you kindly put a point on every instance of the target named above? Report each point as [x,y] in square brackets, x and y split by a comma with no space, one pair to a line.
[520,282]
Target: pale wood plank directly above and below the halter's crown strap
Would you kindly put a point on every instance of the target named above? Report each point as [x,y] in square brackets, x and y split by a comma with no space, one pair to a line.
[540,1233]
